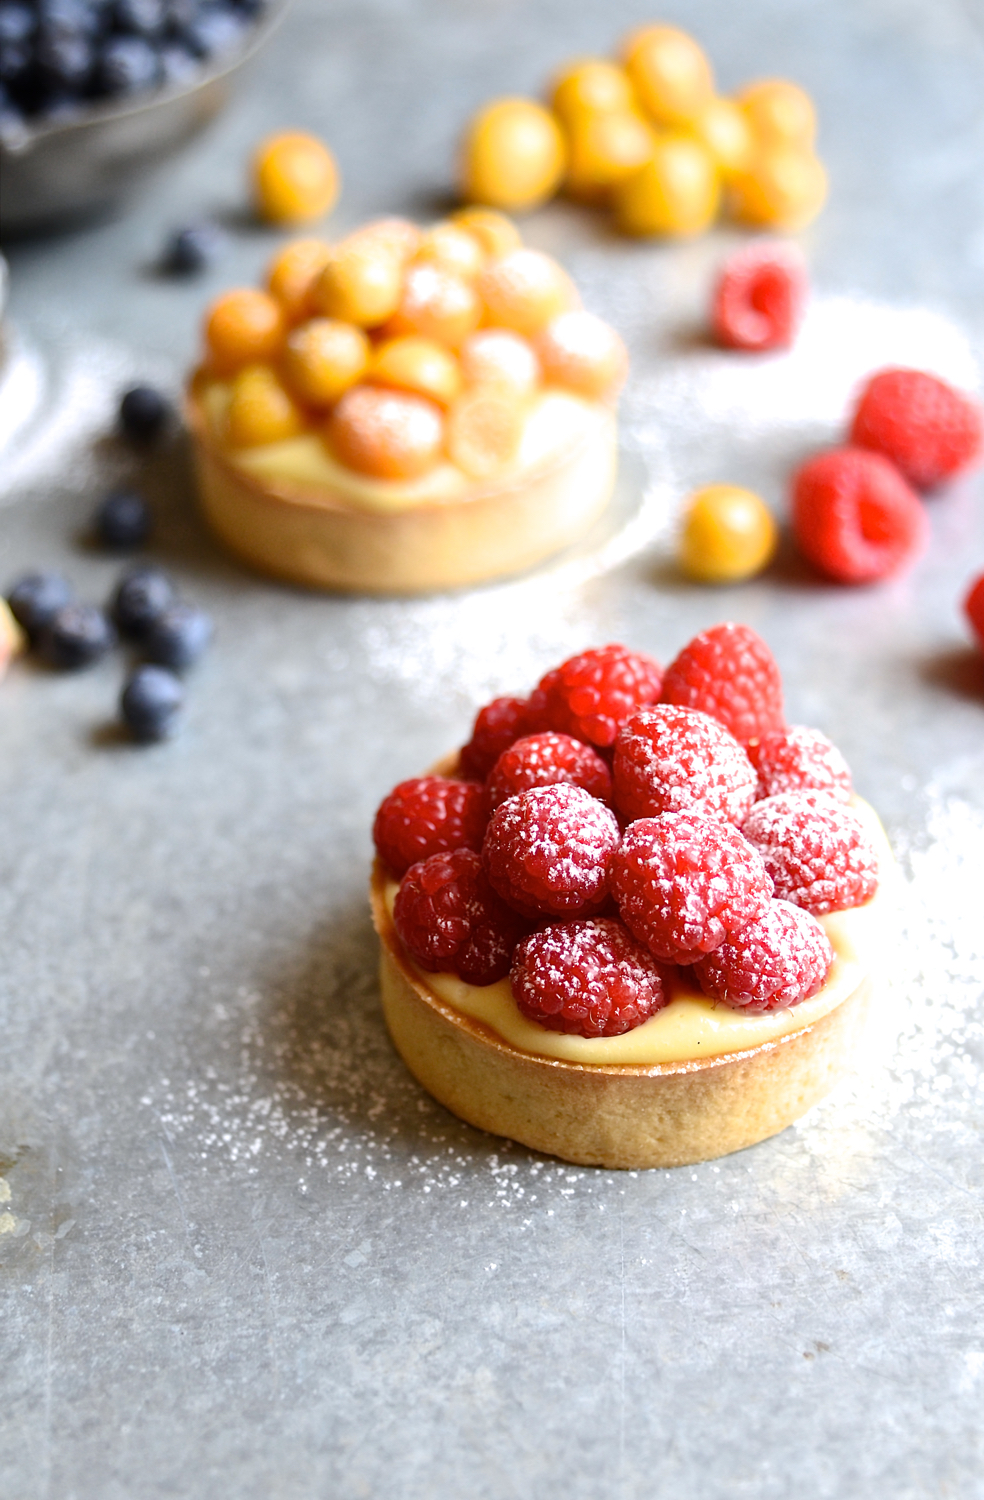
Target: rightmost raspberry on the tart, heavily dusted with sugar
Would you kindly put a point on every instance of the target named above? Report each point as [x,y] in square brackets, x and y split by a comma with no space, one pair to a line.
[817,850]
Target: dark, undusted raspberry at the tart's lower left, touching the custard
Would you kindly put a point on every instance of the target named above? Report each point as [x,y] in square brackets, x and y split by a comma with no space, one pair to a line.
[451,920]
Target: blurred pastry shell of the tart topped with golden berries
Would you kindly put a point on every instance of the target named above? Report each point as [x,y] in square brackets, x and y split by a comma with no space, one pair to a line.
[323,541]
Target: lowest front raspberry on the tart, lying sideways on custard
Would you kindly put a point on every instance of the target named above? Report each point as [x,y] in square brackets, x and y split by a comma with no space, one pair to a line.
[587,979]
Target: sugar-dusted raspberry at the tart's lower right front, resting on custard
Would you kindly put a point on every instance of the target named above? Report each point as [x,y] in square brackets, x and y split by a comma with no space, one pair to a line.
[778,961]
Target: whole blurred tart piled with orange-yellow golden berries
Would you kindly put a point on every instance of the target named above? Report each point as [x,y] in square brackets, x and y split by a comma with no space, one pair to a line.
[406,410]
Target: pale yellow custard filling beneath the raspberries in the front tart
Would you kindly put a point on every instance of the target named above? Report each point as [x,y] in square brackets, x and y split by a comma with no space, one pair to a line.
[692,1025]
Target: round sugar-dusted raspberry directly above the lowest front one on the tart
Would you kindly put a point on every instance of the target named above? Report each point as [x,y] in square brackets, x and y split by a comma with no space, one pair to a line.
[547,851]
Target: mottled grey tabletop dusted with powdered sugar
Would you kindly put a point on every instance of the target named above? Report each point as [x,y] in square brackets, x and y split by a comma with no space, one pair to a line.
[244,1255]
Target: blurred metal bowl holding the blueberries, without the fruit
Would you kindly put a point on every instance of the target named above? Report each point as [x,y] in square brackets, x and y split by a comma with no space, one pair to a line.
[80,167]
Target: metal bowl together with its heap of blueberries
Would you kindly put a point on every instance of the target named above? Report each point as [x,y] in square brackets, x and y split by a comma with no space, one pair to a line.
[94,94]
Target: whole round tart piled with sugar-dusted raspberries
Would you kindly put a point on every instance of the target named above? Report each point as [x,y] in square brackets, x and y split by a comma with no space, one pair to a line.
[635,922]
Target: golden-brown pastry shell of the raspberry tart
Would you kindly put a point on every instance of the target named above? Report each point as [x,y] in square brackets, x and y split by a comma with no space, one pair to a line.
[670,1115]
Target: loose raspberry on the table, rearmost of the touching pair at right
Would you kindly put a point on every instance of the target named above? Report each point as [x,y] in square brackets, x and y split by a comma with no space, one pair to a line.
[923,425]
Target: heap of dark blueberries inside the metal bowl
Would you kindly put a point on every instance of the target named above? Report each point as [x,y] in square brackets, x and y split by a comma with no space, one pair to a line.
[59,55]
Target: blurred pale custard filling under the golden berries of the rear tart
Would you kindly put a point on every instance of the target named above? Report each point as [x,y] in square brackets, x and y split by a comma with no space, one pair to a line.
[557,422]
